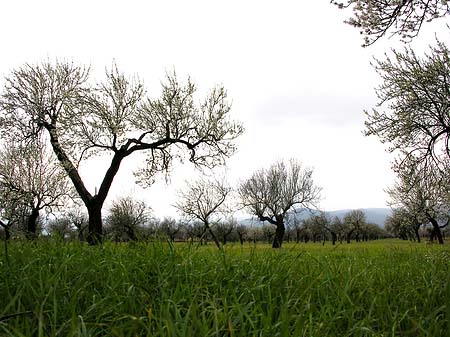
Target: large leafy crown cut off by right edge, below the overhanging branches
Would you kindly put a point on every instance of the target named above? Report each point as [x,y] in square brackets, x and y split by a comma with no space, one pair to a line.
[414,94]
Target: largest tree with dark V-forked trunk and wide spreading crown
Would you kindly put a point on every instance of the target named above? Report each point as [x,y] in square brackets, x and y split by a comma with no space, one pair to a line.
[118,119]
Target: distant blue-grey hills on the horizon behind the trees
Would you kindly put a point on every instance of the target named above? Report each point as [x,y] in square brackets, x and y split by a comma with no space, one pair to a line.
[373,215]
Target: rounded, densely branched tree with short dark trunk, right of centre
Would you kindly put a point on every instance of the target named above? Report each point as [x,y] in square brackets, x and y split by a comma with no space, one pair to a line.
[270,193]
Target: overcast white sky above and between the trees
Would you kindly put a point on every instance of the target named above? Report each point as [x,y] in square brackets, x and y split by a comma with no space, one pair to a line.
[297,76]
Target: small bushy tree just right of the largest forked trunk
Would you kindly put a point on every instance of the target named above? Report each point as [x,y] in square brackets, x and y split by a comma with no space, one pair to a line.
[125,218]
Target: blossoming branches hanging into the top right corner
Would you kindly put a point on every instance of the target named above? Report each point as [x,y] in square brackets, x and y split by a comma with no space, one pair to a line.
[404,18]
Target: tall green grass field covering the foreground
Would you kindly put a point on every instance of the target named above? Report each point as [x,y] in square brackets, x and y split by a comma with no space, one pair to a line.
[383,288]
